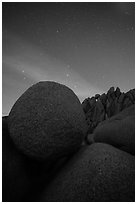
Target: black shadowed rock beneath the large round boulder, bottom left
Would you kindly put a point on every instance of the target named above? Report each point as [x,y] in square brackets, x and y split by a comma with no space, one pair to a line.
[23,178]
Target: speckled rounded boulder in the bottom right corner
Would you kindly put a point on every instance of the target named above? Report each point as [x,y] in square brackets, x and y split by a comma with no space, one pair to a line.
[97,173]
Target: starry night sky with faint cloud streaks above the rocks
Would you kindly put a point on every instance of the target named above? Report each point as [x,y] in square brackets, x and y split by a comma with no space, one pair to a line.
[87,46]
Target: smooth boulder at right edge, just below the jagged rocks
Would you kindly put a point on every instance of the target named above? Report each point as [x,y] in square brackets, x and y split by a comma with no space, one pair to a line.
[118,131]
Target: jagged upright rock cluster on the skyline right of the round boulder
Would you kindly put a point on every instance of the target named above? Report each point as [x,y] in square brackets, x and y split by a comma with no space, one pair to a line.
[101,107]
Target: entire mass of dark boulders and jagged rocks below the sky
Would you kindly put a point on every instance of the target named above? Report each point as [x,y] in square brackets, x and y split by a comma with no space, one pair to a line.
[57,149]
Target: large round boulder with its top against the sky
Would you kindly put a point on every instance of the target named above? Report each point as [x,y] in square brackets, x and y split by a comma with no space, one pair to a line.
[47,121]
